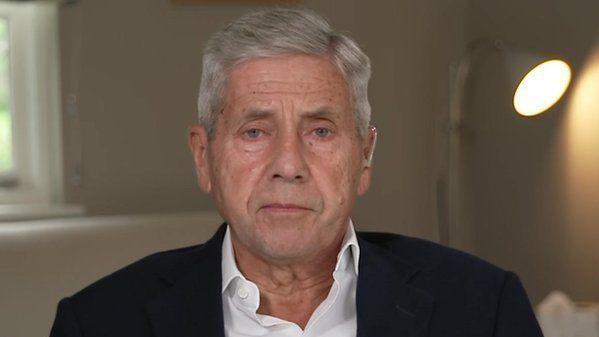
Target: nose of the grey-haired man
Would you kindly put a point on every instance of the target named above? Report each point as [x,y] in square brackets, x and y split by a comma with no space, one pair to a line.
[289,162]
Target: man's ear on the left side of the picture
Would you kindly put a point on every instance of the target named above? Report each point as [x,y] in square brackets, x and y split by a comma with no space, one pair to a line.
[198,144]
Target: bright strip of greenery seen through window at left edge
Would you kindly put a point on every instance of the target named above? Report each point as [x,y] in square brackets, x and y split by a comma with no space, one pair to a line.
[6,160]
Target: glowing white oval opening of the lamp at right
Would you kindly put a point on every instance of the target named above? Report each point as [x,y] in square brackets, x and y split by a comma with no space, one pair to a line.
[542,87]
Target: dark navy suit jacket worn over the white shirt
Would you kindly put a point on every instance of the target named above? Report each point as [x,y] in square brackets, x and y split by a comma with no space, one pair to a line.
[406,287]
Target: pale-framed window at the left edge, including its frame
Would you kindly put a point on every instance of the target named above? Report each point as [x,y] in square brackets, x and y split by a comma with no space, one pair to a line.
[30,122]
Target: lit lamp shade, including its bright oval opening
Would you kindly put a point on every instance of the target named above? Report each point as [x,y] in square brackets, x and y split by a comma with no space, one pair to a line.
[538,82]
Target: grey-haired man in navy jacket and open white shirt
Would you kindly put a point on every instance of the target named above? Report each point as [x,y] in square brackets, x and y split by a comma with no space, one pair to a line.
[284,147]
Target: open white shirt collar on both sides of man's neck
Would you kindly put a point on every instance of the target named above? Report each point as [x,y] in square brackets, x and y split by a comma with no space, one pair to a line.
[349,246]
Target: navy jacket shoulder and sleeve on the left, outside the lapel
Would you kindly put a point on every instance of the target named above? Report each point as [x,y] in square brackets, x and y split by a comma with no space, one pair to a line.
[120,297]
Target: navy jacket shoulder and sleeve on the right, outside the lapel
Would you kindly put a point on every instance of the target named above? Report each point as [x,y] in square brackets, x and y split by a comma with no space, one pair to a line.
[472,296]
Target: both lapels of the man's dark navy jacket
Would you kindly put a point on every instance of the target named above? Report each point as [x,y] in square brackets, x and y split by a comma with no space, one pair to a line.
[387,305]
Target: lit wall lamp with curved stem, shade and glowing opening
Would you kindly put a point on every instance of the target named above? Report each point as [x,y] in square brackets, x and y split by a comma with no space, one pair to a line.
[537,82]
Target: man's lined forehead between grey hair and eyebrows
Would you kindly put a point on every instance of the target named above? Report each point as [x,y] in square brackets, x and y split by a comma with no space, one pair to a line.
[306,75]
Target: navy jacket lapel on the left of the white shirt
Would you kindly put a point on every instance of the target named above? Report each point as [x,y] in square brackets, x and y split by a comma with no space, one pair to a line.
[192,305]
